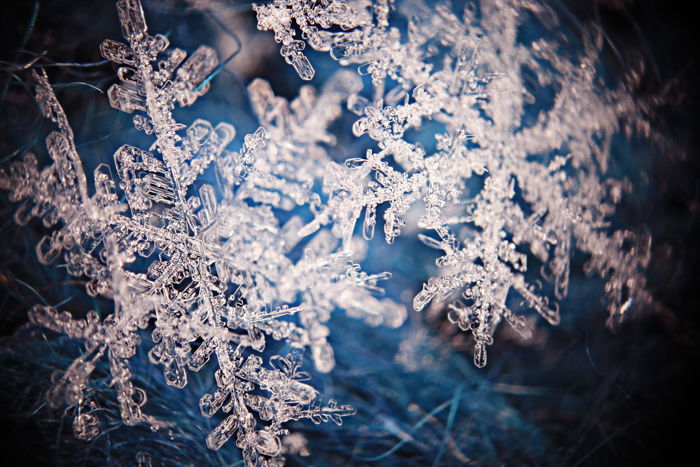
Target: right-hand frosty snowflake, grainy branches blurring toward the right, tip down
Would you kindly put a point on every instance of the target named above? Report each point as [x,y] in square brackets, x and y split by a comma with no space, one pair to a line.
[504,142]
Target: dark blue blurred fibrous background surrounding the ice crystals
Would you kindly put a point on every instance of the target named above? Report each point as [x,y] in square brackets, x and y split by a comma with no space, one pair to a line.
[577,394]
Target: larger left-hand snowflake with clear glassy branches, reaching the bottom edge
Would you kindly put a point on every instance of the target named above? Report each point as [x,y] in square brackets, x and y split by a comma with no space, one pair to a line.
[206,269]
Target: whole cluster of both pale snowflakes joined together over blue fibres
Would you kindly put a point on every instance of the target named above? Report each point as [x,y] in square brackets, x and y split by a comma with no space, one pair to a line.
[209,270]
